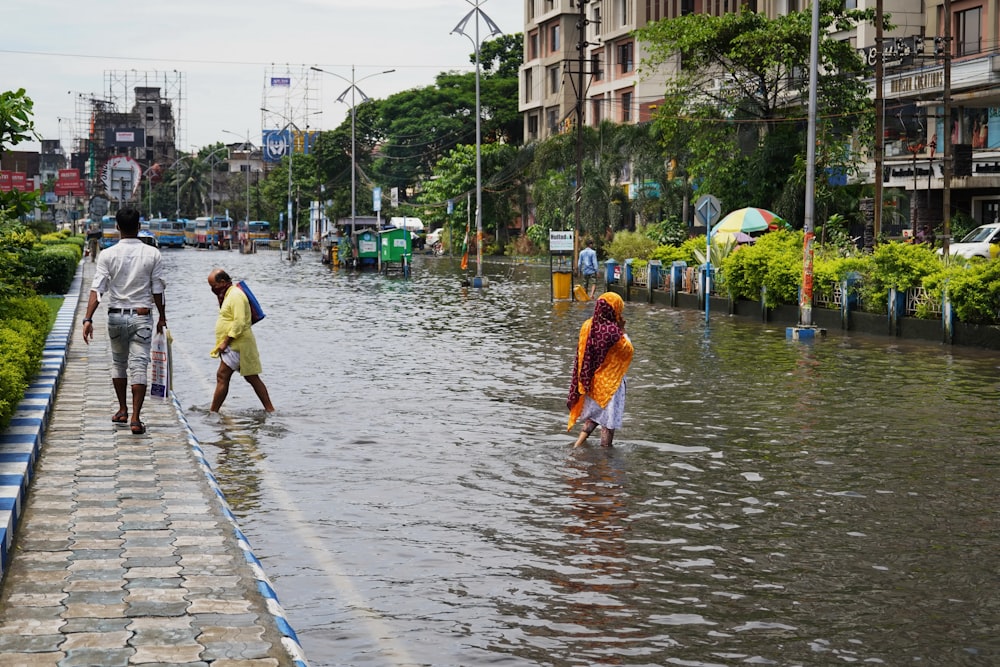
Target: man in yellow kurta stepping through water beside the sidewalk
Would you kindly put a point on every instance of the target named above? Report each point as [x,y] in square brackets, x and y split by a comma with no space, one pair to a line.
[235,344]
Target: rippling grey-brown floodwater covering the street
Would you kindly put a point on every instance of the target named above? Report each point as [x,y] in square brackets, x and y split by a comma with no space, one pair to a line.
[416,499]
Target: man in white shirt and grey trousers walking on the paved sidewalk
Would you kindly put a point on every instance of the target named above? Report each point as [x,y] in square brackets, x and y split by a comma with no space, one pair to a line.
[130,275]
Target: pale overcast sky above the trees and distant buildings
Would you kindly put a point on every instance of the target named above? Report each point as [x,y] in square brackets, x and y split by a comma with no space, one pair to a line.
[59,49]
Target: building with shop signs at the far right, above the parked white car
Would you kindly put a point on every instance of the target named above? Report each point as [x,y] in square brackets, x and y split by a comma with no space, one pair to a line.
[914,90]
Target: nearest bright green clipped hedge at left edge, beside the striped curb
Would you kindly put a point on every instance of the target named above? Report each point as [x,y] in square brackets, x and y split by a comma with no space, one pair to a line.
[24,326]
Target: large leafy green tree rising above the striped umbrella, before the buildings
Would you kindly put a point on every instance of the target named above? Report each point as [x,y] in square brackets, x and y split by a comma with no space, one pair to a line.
[733,115]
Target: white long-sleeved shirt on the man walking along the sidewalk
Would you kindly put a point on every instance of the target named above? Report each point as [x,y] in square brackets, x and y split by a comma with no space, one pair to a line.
[130,272]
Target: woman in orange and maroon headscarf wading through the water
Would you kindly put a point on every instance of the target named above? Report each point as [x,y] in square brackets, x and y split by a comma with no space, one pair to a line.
[603,355]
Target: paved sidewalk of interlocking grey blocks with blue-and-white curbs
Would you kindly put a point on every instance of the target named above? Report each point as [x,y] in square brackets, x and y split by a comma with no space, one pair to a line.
[124,551]
